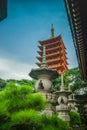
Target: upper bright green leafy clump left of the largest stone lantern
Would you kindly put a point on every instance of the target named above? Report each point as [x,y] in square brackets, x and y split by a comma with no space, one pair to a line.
[20,98]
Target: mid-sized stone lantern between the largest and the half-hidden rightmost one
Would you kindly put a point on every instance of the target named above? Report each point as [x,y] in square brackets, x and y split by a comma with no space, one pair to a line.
[62,108]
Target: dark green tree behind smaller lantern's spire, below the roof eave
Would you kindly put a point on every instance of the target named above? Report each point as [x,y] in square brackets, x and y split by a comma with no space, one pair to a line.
[72,80]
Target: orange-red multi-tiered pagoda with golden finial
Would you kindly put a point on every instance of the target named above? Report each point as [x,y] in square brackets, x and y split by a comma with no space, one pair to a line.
[55,53]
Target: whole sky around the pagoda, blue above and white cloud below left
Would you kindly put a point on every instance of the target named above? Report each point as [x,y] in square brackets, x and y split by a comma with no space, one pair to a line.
[29,21]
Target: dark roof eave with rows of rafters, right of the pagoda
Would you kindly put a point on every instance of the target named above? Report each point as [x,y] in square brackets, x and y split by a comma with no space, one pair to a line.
[77,16]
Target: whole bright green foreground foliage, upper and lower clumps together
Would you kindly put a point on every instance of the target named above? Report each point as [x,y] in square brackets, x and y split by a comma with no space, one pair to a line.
[20,110]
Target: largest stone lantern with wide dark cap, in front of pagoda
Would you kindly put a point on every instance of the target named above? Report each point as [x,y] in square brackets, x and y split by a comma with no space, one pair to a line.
[44,77]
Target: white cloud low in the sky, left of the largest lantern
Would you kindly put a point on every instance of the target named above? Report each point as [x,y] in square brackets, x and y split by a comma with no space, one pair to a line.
[10,69]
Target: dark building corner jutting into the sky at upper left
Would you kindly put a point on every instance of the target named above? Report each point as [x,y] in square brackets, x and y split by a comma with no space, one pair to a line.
[3,9]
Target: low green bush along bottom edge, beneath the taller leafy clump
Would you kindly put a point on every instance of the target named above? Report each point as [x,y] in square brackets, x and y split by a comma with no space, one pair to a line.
[32,120]
